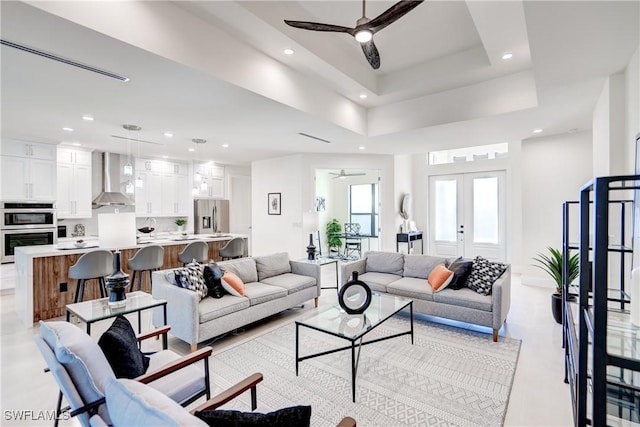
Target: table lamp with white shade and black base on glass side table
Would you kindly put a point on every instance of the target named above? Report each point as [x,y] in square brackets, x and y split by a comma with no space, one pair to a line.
[117,230]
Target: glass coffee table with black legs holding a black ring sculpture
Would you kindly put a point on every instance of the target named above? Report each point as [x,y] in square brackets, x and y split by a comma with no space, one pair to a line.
[334,321]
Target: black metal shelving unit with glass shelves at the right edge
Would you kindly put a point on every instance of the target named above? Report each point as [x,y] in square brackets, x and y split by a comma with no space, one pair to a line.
[601,364]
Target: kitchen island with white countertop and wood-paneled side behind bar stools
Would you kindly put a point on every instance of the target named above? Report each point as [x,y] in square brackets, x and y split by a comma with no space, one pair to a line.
[43,287]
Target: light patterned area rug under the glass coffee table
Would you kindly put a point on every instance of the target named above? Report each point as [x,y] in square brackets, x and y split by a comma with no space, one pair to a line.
[449,376]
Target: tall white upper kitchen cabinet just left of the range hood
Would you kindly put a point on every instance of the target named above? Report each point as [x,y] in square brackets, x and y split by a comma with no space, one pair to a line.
[74,183]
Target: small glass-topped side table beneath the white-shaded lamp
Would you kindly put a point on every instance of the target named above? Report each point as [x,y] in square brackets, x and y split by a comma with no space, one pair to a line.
[95,310]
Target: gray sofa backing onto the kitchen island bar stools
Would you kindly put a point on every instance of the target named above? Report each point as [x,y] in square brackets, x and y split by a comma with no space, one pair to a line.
[272,283]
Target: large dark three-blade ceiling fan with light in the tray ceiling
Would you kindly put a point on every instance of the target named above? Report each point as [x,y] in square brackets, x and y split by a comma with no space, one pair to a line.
[365,28]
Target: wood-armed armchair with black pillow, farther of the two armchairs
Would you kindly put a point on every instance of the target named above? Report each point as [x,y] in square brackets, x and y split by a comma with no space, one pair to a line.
[82,371]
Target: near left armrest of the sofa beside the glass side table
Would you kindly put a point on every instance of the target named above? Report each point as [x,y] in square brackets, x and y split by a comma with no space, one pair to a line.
[182,308]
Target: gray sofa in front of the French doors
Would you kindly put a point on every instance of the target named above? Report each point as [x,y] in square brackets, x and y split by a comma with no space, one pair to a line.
[405,275]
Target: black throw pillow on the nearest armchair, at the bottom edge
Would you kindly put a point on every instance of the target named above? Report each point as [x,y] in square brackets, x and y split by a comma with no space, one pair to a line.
[296,416]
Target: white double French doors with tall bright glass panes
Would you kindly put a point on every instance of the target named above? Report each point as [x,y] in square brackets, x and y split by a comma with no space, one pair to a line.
[467,215]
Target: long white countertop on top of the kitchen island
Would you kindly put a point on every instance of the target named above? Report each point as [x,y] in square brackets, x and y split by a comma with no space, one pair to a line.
[65,245]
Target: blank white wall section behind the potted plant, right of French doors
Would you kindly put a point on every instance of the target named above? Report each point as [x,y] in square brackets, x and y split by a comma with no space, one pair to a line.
[553,170]
